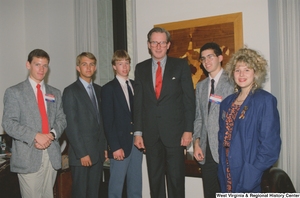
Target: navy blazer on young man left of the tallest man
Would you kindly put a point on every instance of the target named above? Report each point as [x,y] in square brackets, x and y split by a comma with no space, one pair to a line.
[117,119]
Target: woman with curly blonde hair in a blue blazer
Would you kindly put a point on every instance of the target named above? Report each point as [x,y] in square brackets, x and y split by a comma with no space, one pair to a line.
[249,134]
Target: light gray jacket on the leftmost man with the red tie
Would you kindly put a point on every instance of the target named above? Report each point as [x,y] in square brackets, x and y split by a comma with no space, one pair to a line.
[21,120]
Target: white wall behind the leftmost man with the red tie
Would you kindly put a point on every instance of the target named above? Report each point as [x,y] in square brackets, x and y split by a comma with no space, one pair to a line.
[29,24]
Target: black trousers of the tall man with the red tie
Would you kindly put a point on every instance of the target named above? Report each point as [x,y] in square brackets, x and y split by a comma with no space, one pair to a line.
[166,162]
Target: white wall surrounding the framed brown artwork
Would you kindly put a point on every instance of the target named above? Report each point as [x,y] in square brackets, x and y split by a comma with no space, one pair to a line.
[255,28]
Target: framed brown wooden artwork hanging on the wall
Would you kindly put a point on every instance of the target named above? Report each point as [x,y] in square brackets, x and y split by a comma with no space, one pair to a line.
[188,36]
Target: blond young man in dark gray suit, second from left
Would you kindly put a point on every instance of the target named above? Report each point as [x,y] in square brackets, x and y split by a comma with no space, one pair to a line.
[85,129]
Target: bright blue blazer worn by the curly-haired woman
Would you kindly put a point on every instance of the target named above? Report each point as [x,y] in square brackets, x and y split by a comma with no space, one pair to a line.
[255,143]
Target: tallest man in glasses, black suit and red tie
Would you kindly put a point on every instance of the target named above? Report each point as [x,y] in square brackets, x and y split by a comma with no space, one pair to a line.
[164,111]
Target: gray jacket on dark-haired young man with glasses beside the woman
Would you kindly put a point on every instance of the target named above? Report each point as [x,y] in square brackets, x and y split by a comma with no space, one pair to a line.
[208,125]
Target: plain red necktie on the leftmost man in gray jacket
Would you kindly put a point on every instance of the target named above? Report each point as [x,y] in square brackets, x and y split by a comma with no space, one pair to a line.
[42,108]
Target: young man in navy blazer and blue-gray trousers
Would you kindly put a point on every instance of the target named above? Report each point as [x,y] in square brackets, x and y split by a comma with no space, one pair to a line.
[125,158]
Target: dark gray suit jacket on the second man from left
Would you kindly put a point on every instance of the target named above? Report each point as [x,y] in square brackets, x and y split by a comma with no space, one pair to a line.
[85,134]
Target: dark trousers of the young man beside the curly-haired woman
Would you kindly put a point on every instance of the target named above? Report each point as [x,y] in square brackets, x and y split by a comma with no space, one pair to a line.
[210,175]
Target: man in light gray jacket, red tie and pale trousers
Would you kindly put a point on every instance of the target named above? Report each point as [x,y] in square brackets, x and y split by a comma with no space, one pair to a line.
[35,130]
